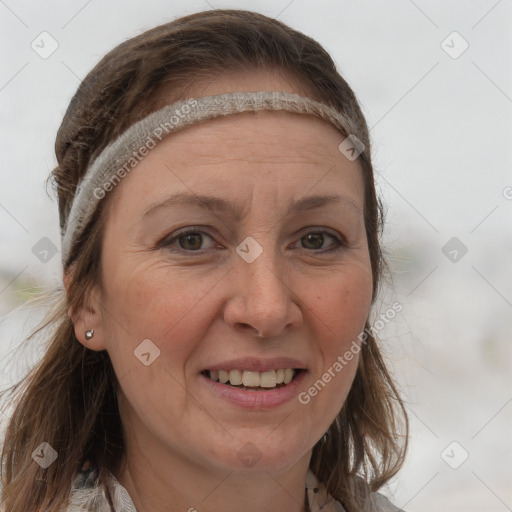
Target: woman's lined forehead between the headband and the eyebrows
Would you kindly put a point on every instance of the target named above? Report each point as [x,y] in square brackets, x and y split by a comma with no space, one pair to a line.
[270,154]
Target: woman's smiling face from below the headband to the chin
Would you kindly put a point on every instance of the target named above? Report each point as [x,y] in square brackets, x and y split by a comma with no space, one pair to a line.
[237,244]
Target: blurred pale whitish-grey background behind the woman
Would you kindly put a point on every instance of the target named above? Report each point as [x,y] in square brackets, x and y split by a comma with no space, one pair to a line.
[435,81]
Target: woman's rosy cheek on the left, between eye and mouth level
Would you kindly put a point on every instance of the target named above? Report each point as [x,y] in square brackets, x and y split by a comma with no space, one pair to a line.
[169,308]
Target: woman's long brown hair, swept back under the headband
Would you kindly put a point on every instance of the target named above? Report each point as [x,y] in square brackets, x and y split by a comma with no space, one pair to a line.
[69,398]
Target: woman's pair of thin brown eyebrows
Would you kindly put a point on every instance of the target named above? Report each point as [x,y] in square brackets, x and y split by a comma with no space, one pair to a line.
[236,210]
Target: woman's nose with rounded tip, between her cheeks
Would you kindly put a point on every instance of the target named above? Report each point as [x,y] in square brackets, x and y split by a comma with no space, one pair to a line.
[262,299]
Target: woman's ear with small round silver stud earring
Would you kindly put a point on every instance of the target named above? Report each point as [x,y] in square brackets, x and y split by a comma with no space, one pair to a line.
[88,317]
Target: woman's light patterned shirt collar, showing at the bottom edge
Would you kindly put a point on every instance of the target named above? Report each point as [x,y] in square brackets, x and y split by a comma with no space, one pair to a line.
[87,496]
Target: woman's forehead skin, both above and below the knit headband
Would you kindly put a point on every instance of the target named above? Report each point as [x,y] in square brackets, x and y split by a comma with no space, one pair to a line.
[283,152]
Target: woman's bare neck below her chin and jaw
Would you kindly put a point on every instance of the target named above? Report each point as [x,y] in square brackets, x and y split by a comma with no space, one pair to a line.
[178,485]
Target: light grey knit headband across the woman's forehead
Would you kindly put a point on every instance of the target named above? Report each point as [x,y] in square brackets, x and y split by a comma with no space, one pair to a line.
[119,158]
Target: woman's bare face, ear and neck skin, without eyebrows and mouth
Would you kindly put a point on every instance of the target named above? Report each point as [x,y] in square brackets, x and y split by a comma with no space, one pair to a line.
[207,306]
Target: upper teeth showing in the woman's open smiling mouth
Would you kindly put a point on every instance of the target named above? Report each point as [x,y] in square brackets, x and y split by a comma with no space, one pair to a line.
[255,381]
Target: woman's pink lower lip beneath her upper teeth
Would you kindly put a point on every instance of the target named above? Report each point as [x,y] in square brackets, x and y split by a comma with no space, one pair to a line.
[256,399]
